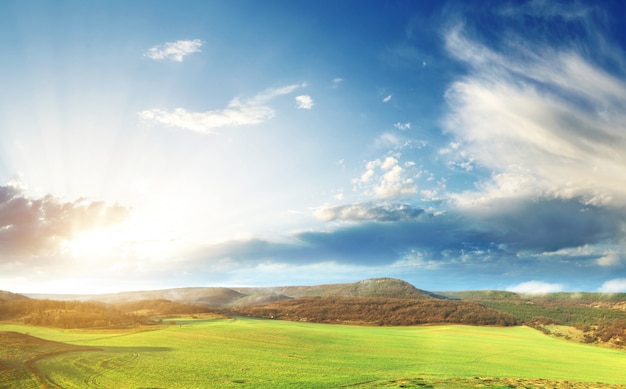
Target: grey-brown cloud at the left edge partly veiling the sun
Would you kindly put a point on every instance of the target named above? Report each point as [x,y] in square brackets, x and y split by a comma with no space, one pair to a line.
[39,226]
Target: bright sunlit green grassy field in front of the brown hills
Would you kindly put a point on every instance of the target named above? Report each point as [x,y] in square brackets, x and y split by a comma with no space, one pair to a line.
[269,353]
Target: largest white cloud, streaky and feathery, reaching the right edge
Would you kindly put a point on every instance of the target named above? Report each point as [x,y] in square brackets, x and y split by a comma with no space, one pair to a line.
[549,116]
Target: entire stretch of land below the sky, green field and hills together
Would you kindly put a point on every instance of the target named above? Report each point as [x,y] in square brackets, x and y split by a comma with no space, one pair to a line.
[373,333]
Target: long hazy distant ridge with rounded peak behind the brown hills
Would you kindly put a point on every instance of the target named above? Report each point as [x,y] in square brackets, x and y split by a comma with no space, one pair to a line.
[246,296]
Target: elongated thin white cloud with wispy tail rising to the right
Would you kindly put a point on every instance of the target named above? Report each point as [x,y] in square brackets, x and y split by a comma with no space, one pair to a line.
[237,113]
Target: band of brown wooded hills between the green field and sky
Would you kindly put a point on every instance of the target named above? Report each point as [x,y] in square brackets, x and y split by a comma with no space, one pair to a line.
[594,317]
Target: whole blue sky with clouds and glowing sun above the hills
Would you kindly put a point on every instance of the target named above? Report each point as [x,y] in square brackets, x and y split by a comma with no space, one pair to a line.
[455,145]
